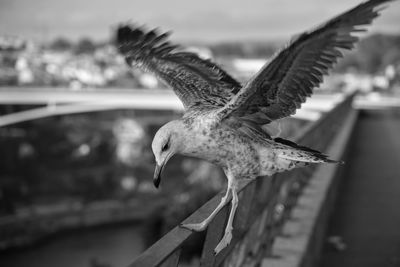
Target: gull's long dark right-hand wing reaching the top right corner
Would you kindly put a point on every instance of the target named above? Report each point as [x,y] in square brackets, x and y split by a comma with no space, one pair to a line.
[281,86]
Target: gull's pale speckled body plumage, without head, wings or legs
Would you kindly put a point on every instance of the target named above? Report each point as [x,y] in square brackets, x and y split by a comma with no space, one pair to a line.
[243,156]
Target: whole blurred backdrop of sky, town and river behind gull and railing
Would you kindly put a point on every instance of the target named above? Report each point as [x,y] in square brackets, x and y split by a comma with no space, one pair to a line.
[76,123]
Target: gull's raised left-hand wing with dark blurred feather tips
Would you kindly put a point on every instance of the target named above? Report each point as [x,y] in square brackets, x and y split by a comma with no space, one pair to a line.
[197,82]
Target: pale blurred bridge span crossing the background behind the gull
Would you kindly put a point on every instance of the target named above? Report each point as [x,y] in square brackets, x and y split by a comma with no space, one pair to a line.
[61,101]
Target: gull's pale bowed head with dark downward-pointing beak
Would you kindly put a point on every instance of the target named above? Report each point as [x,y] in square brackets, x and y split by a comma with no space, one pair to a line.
[166,143]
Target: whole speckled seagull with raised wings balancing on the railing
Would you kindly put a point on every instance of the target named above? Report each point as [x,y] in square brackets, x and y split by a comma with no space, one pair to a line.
[223,119]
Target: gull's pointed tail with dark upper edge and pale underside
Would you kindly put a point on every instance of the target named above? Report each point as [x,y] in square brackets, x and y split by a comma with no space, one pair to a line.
[301,154]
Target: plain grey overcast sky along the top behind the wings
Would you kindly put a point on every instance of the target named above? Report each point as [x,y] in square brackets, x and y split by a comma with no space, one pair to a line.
[204,20]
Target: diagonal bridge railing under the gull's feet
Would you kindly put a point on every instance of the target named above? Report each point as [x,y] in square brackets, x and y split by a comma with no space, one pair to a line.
[264,206]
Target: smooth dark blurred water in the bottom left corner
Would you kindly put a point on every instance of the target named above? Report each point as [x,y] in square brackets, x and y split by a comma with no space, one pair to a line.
[107,246]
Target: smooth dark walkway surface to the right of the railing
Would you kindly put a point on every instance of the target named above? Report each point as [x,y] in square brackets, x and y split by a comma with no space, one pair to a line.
[367,212]
